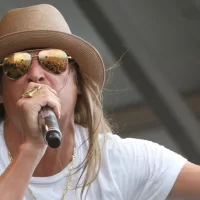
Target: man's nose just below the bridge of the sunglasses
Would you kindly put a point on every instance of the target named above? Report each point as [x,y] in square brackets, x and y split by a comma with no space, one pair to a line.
[36,72]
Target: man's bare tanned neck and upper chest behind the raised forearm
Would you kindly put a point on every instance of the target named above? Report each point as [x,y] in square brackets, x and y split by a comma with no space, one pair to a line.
[54,160]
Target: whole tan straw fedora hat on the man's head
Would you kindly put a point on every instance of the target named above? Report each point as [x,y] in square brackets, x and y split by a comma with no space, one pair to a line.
[43,26]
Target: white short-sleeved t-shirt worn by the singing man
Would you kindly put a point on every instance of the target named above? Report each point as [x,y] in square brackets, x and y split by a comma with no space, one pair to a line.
[132,169]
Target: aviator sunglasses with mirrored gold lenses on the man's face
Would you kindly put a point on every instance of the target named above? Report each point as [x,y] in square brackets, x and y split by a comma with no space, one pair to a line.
[17,64]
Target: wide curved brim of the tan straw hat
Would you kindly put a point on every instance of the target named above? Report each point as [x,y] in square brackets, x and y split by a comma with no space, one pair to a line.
[85,54]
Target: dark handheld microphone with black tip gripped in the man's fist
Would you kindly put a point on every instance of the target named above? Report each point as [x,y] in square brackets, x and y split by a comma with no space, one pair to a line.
[49,127]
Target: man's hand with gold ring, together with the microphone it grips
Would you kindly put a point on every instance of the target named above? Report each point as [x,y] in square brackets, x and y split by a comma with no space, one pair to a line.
[38,116]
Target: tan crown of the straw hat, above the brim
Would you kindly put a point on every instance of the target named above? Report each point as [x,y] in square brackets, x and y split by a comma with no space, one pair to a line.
[33,18]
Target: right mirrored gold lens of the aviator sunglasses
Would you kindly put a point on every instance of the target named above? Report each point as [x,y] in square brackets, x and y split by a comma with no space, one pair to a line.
[53,60]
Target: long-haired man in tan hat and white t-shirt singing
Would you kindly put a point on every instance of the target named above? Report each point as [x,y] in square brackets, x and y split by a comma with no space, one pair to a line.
[45,65]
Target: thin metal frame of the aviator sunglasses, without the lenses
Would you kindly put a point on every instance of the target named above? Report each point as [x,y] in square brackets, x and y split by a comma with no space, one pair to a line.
[33,56]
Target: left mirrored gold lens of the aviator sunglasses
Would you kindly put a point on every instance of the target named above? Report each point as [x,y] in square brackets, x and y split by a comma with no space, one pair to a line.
[16,65]
